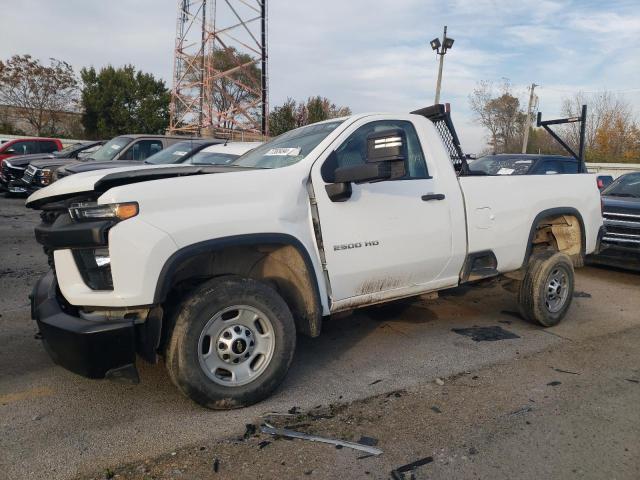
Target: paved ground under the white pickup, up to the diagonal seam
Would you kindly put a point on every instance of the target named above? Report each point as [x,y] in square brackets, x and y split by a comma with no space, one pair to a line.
[54,424]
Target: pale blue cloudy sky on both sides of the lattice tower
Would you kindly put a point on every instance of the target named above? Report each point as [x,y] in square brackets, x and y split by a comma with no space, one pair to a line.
[369,55]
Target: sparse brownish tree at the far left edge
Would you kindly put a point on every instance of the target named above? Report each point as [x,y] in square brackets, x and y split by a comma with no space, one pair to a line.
[39,92]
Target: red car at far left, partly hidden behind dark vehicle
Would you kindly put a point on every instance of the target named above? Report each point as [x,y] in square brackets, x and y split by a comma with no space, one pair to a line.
[13,149]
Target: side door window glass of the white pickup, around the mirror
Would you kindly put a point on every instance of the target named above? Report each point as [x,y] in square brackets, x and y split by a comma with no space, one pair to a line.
[354,150]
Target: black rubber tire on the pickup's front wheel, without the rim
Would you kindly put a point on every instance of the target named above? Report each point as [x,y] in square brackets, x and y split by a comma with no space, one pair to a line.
[181,356]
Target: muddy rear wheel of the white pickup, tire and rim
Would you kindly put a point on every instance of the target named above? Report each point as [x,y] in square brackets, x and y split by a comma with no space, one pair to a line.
[546,292]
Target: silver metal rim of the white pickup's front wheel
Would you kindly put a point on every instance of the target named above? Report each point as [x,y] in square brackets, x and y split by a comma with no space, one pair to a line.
[236,345]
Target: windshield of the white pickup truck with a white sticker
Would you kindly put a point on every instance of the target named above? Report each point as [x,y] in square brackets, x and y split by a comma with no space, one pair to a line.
[288,148]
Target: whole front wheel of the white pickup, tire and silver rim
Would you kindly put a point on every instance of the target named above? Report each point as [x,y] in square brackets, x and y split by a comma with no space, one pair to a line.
[232,343]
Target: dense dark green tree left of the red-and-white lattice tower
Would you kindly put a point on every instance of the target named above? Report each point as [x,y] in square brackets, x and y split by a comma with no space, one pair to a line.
[123,100]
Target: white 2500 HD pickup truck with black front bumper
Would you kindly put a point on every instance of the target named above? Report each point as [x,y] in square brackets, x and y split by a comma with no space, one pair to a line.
[216,269]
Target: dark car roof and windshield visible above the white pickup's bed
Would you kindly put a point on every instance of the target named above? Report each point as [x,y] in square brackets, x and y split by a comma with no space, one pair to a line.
[525,164]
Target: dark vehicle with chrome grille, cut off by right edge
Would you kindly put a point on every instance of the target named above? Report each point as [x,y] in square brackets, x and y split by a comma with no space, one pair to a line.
[621,211]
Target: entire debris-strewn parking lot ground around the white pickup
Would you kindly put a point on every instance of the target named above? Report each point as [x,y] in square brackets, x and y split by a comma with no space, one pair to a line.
[54,424]
